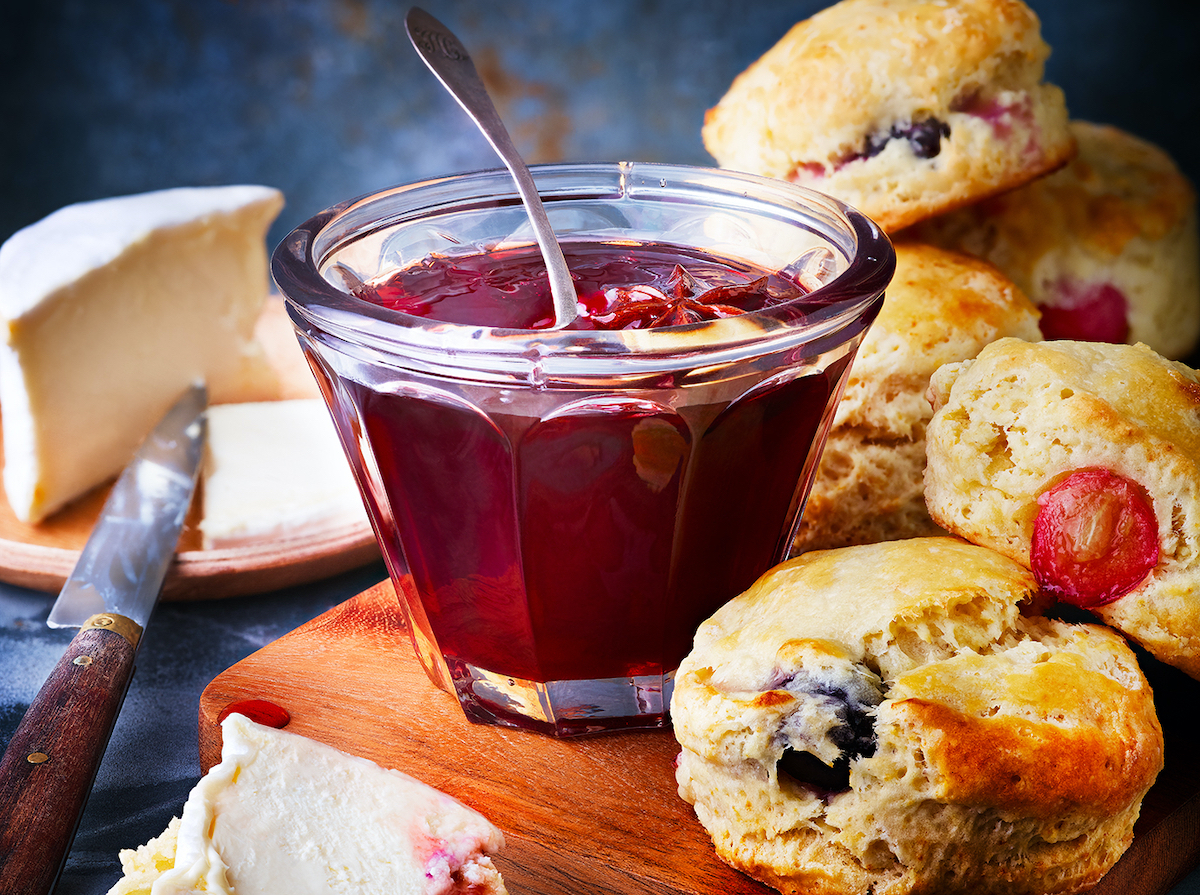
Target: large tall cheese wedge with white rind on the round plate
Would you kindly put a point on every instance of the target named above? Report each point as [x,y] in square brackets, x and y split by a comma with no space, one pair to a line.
[111,309]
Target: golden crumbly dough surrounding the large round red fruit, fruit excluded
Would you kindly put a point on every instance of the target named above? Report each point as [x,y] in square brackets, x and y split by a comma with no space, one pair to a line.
[1023,417]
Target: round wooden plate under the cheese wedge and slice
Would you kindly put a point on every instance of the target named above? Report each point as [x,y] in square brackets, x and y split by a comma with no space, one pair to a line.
[41,557]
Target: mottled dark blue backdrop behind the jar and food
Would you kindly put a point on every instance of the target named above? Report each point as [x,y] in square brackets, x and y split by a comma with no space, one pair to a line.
[326,99]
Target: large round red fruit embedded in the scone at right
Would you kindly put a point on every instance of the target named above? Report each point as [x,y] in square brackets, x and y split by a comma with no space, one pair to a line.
[1095,538]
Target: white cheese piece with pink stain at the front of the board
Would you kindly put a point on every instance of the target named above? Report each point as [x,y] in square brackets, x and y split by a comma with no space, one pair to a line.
[285,815]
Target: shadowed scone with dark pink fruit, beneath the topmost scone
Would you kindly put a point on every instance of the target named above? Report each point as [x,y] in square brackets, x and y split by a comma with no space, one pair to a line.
[1107,248]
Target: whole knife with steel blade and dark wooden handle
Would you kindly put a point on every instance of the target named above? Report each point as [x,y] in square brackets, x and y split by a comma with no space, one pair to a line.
[51,764]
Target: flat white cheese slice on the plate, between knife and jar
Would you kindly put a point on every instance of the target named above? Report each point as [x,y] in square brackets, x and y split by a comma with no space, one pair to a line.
[275,470]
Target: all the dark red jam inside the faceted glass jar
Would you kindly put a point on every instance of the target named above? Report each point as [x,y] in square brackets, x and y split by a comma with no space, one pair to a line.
[575,536]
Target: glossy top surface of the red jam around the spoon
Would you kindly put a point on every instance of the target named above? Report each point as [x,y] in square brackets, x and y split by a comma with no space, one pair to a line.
[619,289]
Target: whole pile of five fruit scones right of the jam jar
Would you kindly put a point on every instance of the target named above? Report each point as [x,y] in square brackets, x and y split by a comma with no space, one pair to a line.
[903,706]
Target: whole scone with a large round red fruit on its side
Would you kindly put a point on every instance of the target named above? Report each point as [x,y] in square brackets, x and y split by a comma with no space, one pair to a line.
[1079,460]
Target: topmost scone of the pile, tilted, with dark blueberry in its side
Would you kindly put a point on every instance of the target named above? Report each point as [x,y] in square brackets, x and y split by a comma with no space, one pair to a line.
[902,109]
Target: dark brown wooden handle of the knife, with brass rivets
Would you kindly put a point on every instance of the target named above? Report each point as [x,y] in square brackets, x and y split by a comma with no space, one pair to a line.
[51,762]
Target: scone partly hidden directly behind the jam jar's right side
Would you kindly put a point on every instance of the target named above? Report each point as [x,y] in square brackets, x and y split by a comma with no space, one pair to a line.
[941,308]
